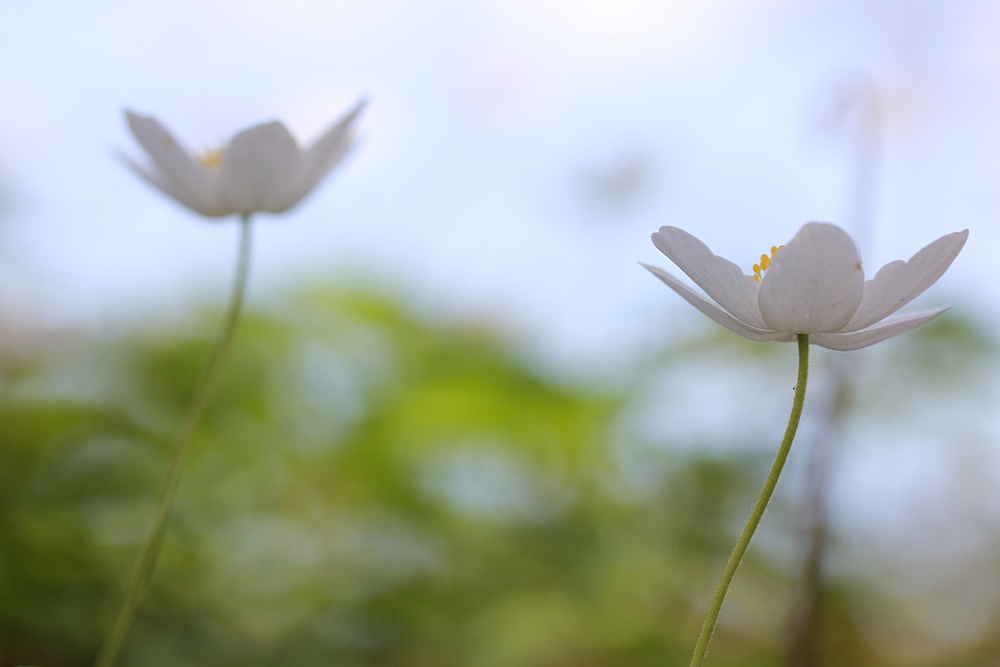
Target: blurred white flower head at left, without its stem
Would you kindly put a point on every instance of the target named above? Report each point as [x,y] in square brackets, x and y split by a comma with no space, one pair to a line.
[262,168]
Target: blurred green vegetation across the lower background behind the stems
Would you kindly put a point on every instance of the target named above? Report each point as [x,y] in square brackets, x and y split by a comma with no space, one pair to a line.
[370,489]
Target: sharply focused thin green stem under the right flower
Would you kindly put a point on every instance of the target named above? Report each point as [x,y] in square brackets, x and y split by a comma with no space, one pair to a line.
[758,509]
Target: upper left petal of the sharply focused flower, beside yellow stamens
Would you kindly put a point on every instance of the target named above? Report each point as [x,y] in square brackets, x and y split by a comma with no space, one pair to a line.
[722,280]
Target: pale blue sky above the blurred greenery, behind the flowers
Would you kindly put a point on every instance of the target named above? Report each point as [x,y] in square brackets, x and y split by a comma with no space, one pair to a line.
[516,155]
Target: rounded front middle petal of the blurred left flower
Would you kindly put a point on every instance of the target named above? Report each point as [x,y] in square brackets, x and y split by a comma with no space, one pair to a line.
[259,170]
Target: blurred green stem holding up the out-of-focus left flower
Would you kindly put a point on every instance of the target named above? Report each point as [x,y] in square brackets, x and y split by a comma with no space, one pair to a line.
[202,395]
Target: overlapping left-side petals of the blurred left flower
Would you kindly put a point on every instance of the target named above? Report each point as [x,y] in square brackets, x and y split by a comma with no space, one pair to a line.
[176,173]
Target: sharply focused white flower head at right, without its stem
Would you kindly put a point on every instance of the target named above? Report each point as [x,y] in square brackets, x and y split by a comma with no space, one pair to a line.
[814,285]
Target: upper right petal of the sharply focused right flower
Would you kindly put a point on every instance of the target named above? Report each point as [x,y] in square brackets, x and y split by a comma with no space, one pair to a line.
[898,283]
